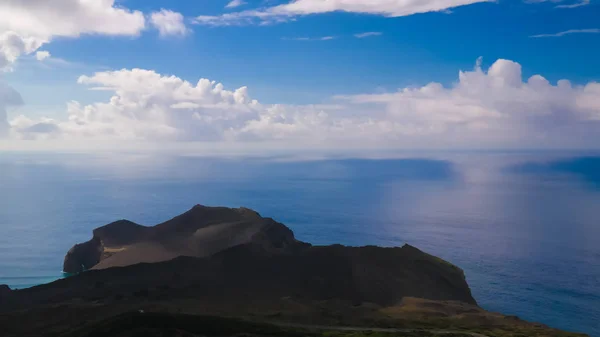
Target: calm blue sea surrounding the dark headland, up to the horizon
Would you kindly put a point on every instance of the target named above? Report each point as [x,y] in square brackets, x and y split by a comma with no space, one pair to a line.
[525,227]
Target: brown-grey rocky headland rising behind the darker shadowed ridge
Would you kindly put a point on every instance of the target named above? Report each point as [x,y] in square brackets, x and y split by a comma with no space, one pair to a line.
[200,232]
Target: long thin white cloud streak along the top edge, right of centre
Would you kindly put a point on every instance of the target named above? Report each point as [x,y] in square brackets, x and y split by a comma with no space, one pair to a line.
[289,11]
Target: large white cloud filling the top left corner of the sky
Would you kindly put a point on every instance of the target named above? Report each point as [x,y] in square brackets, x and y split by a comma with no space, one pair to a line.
[25,25]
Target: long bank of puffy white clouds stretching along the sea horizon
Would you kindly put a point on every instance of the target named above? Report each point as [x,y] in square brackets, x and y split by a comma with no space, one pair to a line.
[493,108]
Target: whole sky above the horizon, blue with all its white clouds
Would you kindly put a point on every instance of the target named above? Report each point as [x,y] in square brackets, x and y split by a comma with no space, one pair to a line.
[299,75]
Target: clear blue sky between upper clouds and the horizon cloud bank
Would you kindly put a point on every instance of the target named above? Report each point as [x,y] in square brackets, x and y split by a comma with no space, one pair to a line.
[310,59]
